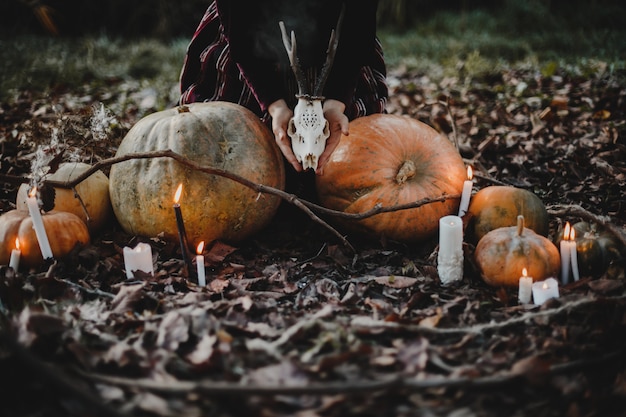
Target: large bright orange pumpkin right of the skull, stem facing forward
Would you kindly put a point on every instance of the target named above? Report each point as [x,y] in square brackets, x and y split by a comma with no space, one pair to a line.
[392,160]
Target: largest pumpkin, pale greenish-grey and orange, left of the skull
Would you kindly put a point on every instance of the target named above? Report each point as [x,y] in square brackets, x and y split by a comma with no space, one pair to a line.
[216,134]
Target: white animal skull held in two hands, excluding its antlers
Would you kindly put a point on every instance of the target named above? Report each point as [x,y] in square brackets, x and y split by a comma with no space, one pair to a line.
[308,130]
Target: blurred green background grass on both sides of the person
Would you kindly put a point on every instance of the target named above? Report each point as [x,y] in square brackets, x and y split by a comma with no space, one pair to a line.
[476,42]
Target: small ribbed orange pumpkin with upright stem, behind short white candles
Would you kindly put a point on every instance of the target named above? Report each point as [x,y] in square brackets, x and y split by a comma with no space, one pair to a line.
[503,253]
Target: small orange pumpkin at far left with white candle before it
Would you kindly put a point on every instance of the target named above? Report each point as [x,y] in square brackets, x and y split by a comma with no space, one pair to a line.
[64,230]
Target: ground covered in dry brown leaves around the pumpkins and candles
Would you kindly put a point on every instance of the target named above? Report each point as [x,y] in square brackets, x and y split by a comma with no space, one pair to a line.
[293,323]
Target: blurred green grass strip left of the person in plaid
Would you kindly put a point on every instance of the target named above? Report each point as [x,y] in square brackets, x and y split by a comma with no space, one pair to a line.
[41,63]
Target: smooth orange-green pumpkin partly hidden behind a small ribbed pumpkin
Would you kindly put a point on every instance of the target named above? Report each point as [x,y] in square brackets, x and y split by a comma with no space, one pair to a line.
[499,205]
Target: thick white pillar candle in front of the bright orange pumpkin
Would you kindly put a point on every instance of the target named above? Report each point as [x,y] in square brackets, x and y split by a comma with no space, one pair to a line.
[450,256]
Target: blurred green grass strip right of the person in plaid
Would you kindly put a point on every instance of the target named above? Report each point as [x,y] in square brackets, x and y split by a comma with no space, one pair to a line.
[516,33]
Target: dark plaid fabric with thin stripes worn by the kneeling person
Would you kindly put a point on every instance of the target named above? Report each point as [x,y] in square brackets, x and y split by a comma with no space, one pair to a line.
[210,74]
